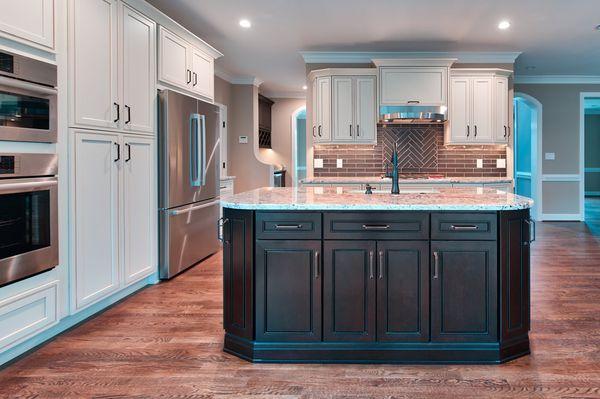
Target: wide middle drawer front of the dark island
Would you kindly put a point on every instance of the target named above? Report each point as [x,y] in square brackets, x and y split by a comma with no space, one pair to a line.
[376,226]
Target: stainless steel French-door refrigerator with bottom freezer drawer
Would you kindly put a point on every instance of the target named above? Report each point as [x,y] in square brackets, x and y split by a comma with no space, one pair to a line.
[188,181]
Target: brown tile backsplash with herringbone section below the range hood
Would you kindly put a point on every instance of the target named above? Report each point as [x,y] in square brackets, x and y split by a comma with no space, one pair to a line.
[422,151]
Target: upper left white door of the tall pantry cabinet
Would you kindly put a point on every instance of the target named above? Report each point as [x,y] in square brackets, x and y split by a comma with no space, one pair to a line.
[94,62]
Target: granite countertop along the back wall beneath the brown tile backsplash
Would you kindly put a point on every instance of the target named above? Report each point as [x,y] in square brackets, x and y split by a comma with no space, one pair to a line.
[421,180]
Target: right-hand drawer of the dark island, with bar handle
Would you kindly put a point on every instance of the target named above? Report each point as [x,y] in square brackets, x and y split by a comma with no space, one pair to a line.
[463,226]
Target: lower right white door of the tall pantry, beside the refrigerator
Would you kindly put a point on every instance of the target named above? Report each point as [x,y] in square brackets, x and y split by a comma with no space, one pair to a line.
[139,208]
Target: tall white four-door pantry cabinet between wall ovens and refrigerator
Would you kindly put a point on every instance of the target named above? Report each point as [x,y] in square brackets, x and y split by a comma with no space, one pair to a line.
[112,117]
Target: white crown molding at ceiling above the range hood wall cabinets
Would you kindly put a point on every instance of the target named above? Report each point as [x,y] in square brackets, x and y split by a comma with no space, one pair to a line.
[357,57]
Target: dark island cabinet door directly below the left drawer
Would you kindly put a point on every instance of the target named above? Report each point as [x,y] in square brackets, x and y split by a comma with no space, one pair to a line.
[288,290]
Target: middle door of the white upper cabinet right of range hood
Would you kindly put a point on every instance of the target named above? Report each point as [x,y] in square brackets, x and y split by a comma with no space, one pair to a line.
[483,114]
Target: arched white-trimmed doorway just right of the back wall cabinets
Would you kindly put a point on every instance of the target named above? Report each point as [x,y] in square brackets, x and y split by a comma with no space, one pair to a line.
[527,150]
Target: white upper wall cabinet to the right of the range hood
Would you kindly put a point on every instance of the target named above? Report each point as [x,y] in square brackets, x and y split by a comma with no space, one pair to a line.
[479,107]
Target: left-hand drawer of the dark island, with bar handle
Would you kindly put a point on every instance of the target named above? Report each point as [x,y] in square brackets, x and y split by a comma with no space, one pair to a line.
[286,226]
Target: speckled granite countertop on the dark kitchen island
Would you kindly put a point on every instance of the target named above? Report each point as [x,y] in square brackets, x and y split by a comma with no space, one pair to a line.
[338,198]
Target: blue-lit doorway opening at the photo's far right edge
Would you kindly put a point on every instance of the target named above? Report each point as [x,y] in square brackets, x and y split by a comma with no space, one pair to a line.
[590,160]
